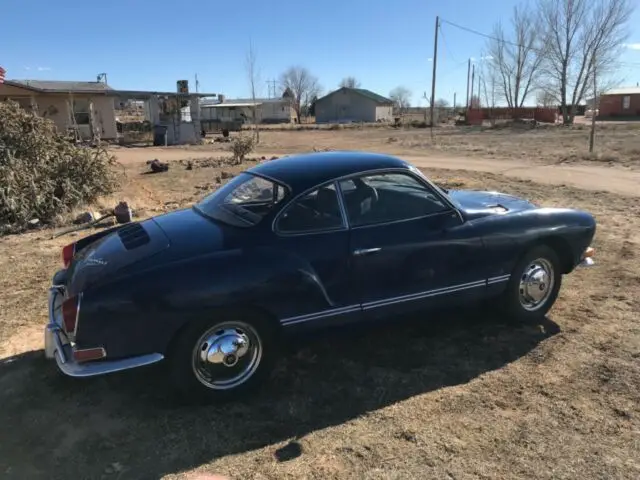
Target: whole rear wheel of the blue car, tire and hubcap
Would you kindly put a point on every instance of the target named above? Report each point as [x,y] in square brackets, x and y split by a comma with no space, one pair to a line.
[222,359]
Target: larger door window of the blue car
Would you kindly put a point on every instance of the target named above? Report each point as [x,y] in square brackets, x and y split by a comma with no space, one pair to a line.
[388,197]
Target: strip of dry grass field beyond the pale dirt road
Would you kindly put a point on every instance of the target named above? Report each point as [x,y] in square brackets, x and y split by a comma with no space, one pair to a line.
[616,144]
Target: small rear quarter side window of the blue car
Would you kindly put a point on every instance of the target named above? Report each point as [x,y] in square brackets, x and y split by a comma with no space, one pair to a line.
[316,211]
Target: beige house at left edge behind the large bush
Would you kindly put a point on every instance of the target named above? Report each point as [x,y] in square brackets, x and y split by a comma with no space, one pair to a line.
[84,107]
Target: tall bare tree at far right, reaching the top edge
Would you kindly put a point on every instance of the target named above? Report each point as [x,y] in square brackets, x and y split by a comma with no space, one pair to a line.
[581,37]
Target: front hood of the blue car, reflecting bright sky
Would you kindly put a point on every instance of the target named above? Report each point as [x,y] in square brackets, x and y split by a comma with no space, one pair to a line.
[476,204]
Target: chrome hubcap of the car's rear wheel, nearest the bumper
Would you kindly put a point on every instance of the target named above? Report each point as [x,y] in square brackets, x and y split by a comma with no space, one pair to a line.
[227,355]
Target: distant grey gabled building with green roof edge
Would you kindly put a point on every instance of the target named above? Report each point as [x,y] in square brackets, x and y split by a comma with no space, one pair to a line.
[353,105]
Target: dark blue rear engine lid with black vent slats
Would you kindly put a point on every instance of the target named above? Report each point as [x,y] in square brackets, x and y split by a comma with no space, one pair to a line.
[162,239]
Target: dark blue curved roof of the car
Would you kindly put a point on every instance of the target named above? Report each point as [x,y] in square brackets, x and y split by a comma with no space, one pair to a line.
[304,171]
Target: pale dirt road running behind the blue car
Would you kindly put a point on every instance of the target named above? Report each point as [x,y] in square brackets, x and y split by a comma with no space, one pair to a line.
[588,177]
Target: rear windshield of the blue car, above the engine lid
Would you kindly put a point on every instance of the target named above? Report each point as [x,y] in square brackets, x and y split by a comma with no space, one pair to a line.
[243,201]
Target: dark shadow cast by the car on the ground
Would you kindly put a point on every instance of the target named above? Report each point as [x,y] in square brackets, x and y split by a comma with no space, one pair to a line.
[127,424]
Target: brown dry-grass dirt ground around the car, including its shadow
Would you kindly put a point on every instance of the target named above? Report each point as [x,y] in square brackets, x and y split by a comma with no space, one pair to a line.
[460,395]
